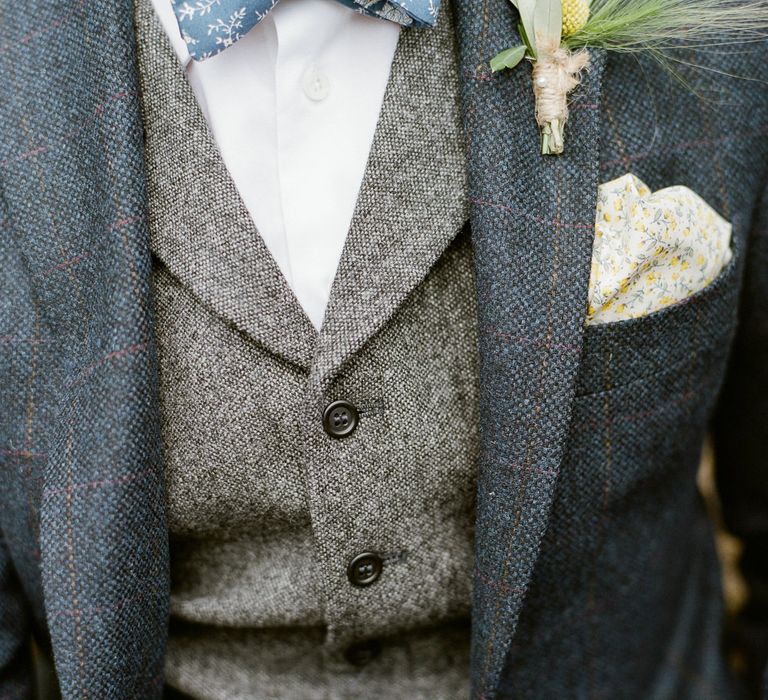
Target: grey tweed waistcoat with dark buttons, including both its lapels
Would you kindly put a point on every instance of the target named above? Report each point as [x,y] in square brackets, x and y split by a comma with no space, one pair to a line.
[266,510]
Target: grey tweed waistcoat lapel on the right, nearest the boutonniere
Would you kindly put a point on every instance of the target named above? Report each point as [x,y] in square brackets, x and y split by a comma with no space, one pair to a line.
[413,199]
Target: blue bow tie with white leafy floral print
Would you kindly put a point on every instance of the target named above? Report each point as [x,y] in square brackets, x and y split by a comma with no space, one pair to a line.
[210,26]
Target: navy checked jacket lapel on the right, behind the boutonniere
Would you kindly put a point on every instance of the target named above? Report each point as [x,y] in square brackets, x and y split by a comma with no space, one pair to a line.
[533,224]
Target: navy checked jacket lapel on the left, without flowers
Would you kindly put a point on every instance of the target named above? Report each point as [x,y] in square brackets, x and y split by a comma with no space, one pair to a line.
[72,180]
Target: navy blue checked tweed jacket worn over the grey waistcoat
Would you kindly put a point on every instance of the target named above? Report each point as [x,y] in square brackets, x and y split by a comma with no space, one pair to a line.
[595,572]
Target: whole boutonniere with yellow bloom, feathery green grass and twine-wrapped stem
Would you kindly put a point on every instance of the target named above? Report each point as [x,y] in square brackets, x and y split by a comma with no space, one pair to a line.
[557,36]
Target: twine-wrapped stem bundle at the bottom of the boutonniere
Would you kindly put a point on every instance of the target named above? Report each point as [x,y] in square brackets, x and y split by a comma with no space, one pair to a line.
[555,74]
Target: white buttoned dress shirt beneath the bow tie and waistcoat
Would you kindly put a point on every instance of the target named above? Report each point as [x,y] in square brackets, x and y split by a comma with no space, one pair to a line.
[293,107]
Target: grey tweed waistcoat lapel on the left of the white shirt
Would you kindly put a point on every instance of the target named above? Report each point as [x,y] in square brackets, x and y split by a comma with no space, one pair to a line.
[207,238]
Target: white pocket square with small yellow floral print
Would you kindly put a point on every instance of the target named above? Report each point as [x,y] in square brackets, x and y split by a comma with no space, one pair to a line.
[652,249]
